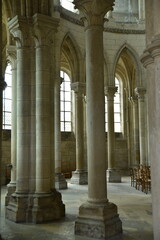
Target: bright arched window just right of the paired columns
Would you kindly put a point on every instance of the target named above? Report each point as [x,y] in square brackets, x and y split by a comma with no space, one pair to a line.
[65,99]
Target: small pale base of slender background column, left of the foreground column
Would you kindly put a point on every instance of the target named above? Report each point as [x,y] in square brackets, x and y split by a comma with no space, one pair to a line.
[79,177]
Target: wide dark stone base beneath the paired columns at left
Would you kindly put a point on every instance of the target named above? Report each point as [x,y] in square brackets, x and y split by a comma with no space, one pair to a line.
[36,208]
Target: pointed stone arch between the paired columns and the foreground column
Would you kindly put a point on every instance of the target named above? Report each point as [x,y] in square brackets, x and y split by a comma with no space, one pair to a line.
[71,58]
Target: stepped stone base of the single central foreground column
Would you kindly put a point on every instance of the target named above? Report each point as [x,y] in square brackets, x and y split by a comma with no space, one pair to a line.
[99,222]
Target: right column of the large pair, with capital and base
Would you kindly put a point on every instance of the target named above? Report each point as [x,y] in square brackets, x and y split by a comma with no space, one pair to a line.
[47,204]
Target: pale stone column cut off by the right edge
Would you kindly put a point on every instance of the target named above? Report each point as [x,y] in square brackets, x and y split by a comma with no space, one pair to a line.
[151,60]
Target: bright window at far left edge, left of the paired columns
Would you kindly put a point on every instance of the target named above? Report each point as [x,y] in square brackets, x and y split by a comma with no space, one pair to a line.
[7,98]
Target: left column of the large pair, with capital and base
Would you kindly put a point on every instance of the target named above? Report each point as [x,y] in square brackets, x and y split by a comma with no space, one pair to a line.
[17,208]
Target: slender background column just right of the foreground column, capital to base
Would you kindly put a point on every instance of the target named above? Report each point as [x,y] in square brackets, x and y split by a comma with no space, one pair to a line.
[113,174]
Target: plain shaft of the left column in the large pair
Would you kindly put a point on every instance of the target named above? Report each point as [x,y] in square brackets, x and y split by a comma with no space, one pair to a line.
[23,120]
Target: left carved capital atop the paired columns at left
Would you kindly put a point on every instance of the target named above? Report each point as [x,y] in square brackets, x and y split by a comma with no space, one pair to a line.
[19,27]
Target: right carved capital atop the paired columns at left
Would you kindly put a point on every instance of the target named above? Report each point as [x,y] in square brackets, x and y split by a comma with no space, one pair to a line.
[44,28]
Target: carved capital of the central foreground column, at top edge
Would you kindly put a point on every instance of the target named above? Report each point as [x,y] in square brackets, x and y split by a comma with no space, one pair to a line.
[94,10]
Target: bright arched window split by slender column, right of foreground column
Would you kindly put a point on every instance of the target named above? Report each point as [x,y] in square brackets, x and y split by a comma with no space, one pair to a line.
[117,109]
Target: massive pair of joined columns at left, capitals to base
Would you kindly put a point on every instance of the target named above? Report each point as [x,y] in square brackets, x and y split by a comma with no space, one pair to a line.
[35,198]
